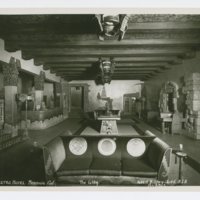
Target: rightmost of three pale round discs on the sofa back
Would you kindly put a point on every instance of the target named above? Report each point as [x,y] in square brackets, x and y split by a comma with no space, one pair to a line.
[136,147]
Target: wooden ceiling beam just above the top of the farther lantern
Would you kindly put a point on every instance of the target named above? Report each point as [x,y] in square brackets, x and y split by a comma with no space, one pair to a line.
[105,52]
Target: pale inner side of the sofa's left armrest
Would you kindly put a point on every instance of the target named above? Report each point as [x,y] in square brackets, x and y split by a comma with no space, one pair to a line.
[57,152]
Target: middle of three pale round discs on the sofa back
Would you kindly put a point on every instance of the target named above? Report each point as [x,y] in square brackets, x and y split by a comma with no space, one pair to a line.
[106,146]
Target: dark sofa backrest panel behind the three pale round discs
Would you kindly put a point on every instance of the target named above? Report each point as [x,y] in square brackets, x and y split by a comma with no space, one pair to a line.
[101,146]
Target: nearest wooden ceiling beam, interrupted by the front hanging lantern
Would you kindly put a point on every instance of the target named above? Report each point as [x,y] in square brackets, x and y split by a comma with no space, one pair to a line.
[144,26]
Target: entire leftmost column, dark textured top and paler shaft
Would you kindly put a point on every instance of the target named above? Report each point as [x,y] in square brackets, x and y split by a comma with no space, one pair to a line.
[10,80]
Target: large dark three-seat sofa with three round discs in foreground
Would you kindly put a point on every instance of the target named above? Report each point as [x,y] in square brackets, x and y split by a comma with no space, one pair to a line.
[106,160]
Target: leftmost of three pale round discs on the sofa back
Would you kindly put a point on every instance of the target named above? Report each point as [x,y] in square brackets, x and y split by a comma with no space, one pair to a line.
[78,146]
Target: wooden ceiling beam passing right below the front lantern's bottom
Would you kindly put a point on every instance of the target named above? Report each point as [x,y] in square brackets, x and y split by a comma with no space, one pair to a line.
[96,43]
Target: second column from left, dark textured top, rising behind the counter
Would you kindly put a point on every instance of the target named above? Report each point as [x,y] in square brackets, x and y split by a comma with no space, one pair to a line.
[39,89]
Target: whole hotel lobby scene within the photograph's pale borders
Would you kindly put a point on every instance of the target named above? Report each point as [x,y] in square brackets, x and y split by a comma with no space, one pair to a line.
[100,100]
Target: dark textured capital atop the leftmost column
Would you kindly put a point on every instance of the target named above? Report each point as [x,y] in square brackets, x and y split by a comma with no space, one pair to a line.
[10,73]
